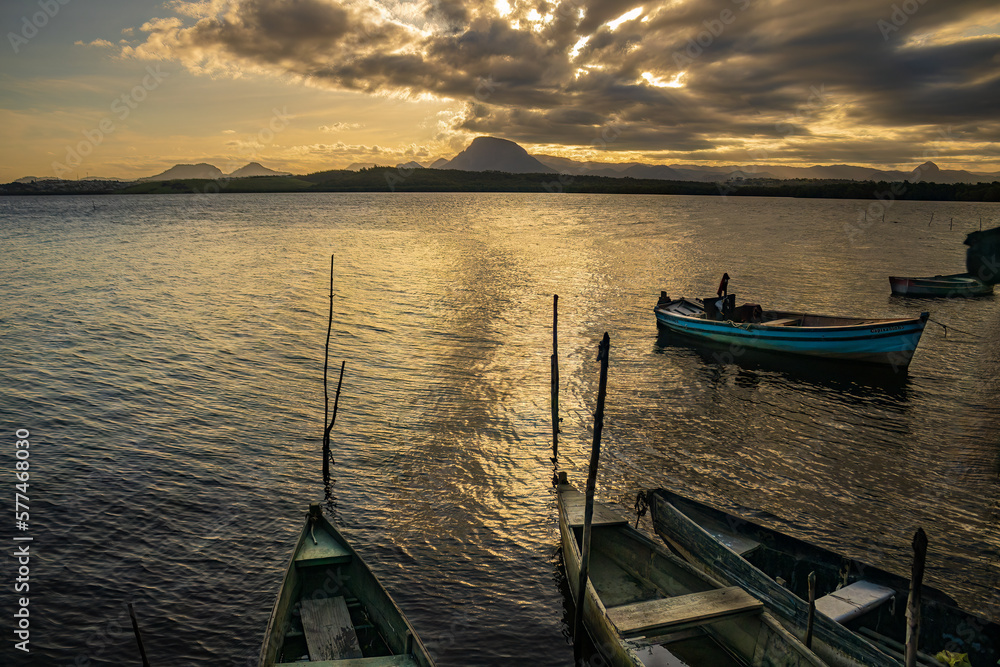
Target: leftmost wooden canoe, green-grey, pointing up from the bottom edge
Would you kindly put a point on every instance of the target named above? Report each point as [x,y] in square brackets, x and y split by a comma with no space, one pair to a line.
[333,612]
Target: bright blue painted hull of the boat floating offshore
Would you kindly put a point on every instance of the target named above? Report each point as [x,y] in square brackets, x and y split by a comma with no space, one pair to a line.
[890,342]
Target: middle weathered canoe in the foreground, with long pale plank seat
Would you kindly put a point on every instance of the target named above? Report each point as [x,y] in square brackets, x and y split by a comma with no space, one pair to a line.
[645,606]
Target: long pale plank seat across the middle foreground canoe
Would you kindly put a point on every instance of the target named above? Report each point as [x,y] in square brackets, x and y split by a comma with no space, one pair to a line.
[683,611]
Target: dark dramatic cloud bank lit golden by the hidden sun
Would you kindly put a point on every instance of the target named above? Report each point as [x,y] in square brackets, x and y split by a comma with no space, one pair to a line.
[787,80]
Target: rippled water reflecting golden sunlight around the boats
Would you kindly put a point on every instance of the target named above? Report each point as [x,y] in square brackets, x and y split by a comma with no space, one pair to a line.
[166,355]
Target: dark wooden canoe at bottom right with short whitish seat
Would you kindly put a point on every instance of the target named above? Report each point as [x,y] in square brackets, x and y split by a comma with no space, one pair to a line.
[860,608]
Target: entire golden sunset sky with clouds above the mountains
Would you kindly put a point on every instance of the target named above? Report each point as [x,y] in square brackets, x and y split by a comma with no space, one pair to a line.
[128,88]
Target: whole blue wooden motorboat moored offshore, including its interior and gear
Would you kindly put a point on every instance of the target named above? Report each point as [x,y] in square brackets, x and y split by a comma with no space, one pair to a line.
[890,341]
